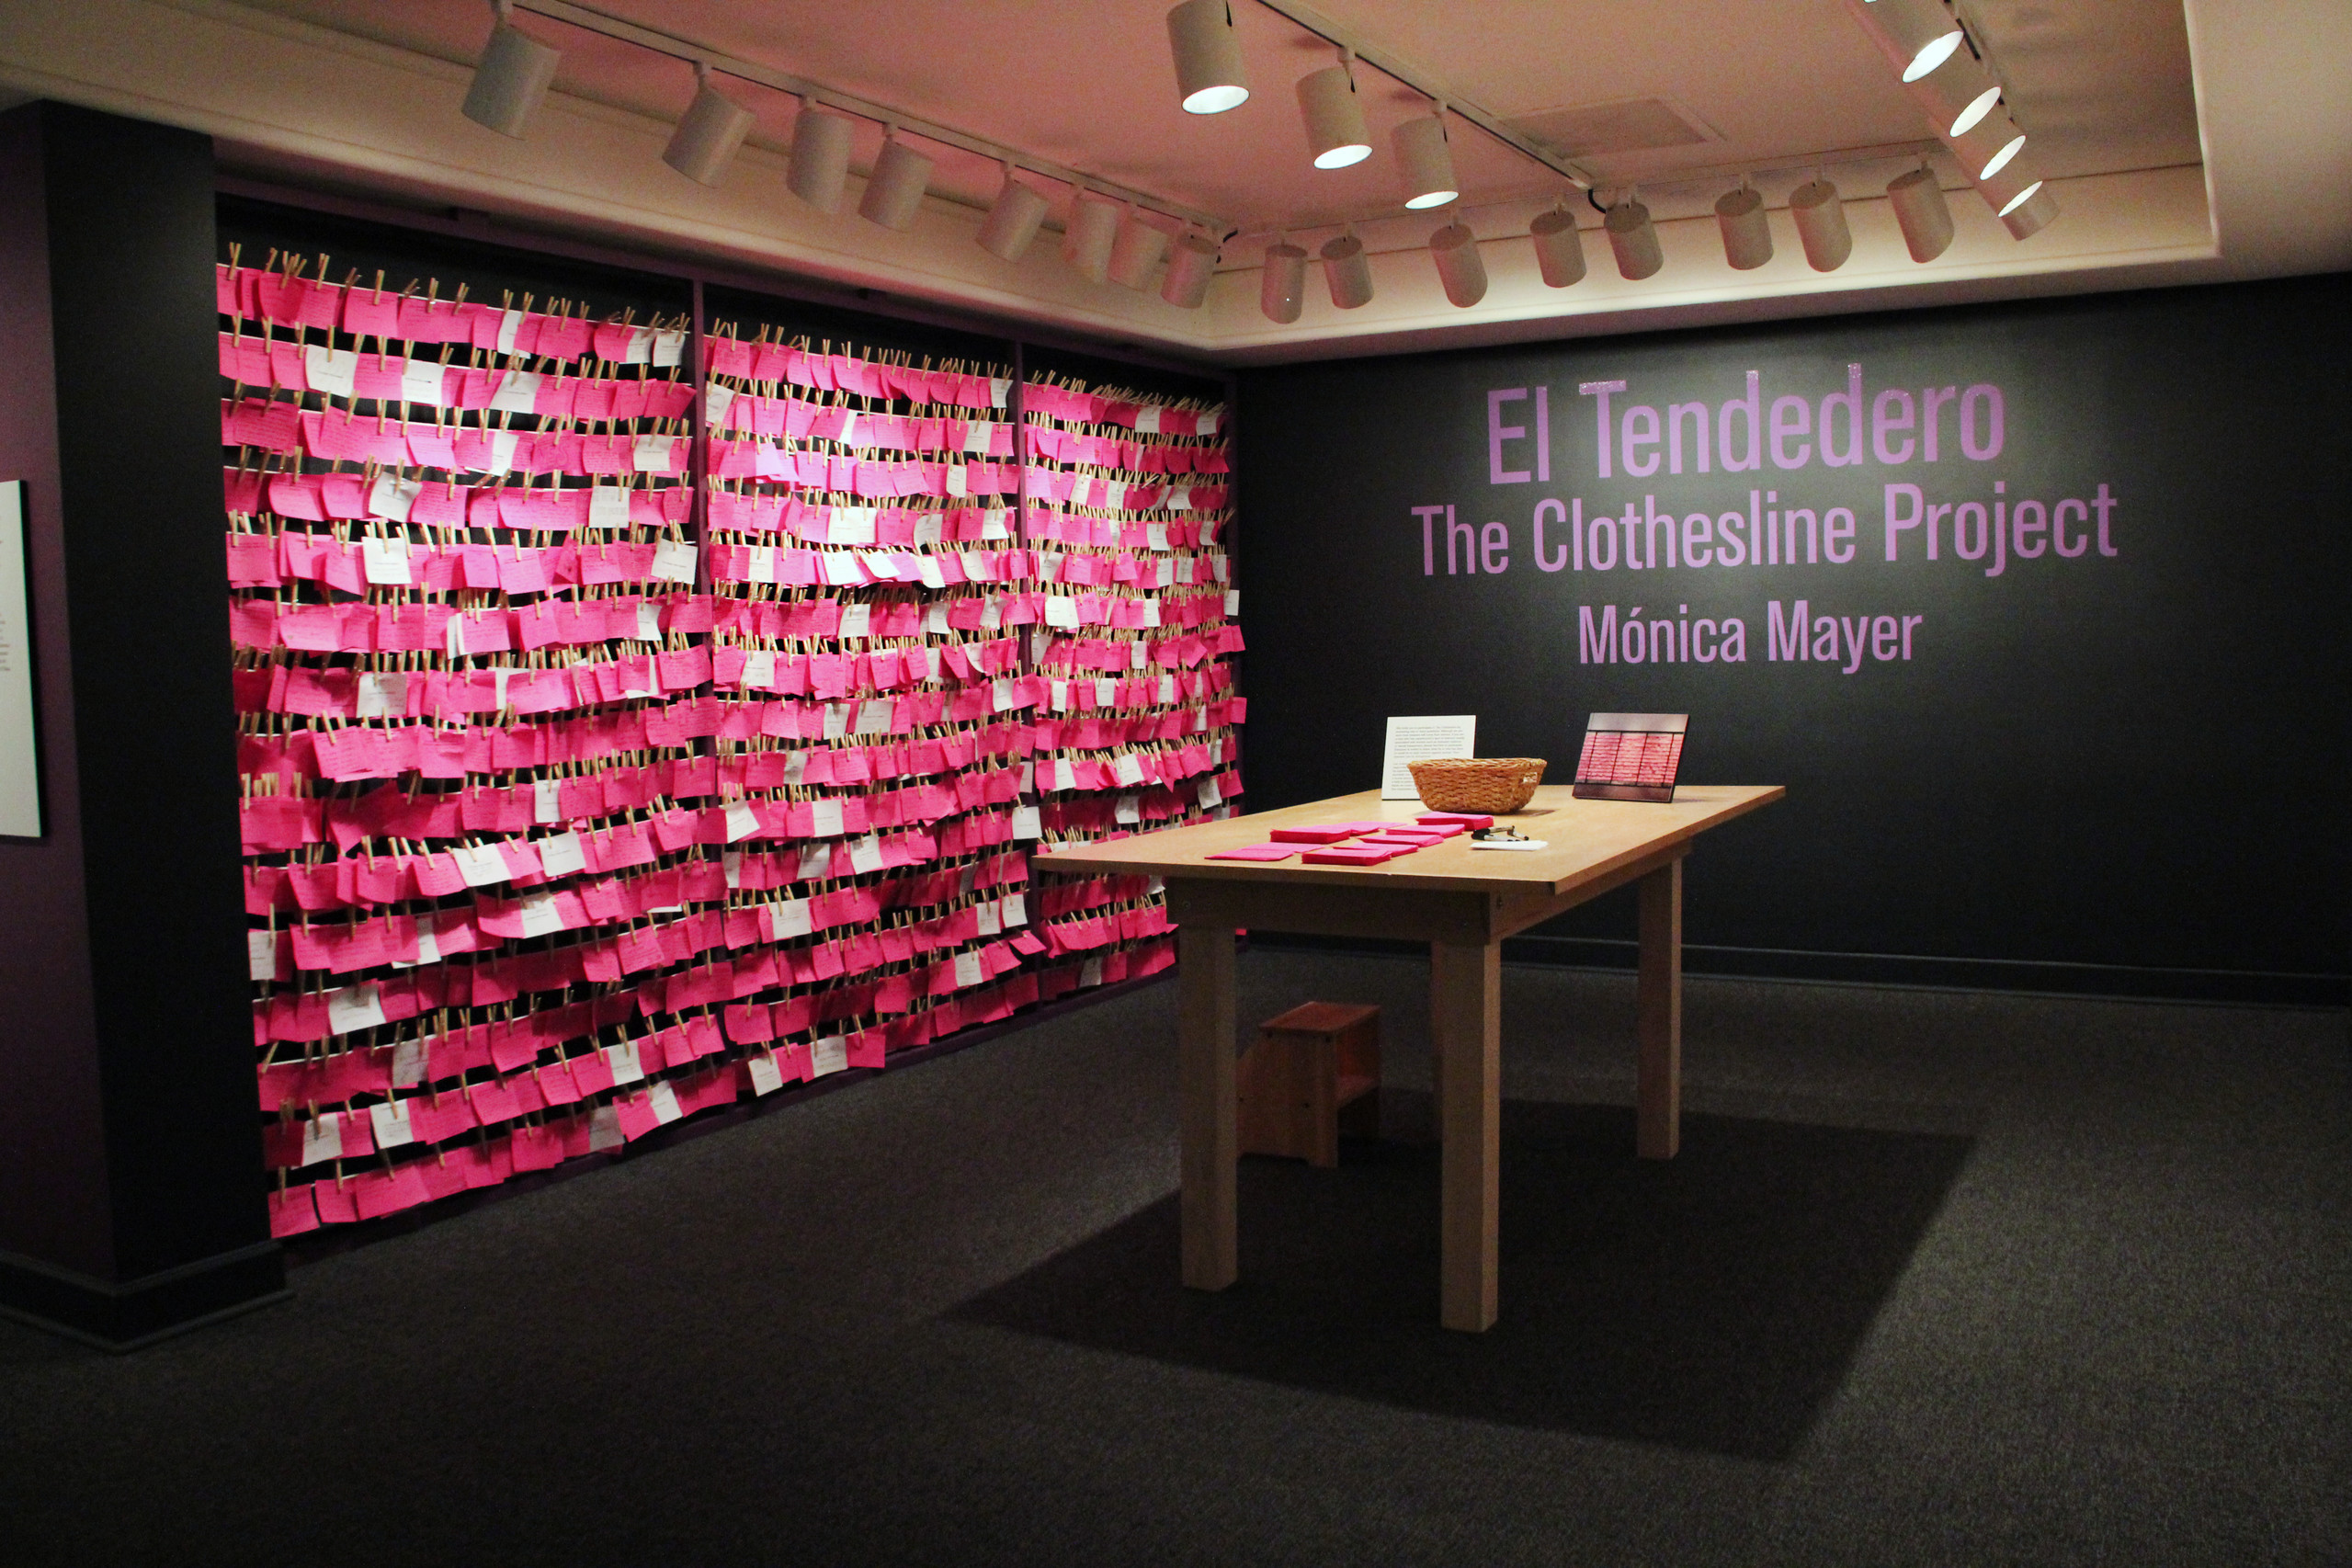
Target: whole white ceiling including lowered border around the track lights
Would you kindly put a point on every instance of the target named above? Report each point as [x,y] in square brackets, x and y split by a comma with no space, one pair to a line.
[2184,138]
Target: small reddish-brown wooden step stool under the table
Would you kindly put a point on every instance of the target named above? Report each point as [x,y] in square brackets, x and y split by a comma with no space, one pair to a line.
[1311,1071]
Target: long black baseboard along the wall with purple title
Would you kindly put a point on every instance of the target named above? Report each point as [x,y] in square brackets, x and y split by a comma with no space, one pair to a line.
[1895,970]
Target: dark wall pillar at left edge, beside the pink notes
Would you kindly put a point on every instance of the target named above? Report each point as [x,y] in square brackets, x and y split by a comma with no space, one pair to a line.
[131,1155]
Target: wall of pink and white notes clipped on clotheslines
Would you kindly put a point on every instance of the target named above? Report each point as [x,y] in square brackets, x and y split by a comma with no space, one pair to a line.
[634,723]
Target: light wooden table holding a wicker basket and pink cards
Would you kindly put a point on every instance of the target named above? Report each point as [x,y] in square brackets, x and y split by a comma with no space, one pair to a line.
[1462,902]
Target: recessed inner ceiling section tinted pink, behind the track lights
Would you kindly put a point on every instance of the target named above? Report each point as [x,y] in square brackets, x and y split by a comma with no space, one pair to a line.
[2104,88]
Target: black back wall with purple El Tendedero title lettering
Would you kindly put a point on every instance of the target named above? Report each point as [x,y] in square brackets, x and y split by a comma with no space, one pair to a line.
[2111,739]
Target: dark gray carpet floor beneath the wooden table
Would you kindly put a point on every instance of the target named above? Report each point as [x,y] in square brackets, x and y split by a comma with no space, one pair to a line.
[1937,1280]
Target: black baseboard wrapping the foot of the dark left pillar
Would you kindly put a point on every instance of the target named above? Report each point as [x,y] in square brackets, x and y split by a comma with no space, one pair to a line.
[142,1311]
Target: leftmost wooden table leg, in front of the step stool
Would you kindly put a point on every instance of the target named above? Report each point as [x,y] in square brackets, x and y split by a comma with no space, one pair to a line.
[1205,1068]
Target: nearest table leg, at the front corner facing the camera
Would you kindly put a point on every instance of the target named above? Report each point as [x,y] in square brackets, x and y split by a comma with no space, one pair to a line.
[1466,989]
